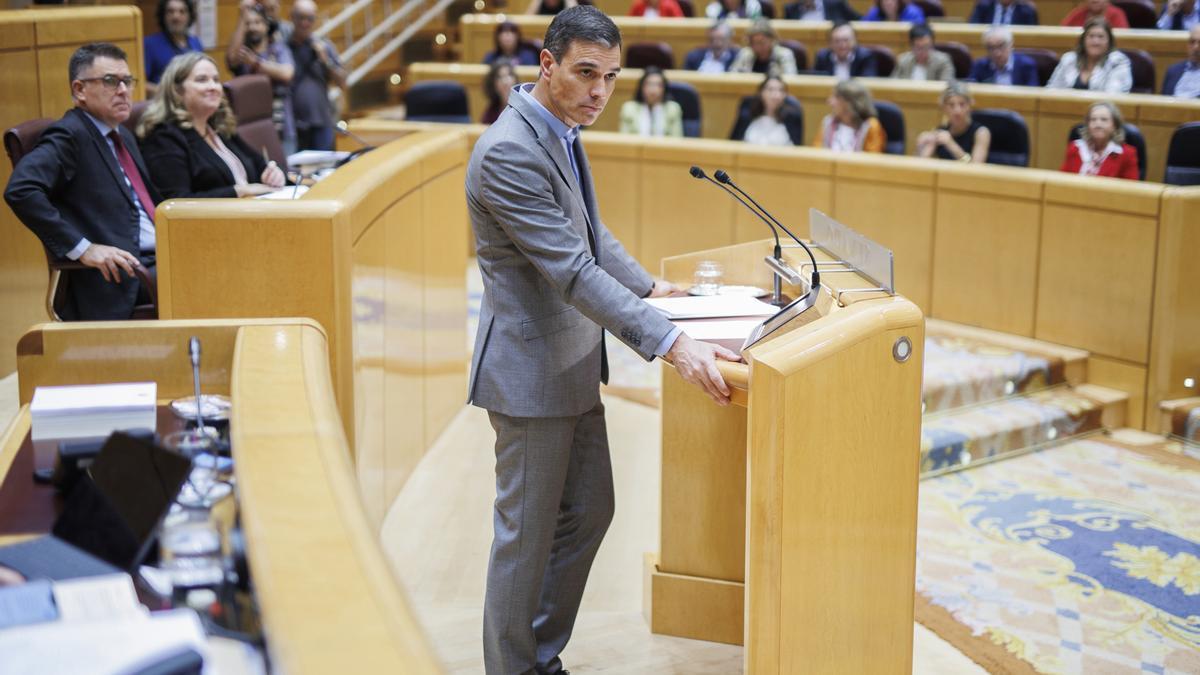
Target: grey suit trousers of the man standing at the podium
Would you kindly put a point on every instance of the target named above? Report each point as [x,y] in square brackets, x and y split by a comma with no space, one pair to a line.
[554,504]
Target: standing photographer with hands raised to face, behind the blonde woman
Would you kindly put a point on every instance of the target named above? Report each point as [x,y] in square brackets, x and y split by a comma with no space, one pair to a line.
[265,52]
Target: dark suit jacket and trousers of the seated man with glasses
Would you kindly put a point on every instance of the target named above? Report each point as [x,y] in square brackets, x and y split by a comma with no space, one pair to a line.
[70,188]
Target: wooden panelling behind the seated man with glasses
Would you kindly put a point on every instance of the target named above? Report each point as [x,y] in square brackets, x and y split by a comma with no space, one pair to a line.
[35,46]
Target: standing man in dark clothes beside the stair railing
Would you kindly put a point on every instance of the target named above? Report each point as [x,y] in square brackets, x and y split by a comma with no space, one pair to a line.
[317,68]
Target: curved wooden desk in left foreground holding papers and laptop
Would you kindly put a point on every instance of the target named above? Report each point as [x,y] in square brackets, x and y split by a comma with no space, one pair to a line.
[327,595]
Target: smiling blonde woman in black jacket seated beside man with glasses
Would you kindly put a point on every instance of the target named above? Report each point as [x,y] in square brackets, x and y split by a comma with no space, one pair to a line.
[189,138]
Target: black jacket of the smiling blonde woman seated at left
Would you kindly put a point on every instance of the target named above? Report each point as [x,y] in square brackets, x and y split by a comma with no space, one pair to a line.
[185,165]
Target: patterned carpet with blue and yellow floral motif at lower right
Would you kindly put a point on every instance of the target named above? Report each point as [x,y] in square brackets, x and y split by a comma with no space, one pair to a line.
[1084,558]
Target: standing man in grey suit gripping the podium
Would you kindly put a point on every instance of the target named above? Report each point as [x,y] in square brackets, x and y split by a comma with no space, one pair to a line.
[554,280]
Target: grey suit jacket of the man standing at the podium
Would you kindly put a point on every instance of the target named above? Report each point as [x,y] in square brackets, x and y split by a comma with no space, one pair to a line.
[539,348]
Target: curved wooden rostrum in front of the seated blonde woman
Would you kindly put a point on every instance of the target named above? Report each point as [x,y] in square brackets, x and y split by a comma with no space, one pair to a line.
[375,254]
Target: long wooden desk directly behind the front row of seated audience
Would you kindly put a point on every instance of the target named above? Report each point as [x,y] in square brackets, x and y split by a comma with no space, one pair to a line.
[1049,115]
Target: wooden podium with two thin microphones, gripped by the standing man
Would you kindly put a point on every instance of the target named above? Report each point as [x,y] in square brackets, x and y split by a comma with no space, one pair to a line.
[790,518]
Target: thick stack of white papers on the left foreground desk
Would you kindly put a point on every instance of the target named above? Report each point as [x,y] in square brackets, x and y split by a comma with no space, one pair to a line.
[92,410]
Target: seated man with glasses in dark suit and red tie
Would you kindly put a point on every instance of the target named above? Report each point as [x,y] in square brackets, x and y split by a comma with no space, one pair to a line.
[86,192]
